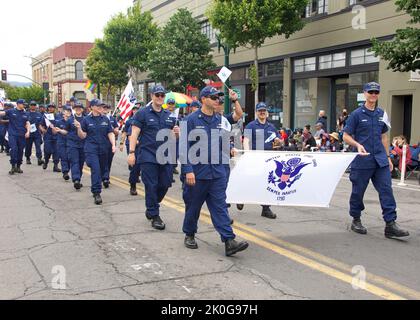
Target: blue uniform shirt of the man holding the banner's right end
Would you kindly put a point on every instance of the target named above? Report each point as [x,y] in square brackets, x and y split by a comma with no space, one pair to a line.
[367,128]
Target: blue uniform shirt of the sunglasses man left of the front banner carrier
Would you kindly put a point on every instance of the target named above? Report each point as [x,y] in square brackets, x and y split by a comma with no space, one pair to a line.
[150,122]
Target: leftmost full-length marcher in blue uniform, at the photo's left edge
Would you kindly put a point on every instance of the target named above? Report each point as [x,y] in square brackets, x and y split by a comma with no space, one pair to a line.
[18,131]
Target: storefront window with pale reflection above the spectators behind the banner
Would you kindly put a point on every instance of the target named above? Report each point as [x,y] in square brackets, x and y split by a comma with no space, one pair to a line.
[311,95]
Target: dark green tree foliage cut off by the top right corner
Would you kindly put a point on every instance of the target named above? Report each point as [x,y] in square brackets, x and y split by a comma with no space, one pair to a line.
[403,52]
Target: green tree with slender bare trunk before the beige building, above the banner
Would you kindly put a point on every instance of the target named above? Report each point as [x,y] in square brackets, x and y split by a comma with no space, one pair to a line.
[250,23]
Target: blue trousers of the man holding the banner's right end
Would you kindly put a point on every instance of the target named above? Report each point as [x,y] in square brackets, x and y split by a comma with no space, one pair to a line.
[381,179]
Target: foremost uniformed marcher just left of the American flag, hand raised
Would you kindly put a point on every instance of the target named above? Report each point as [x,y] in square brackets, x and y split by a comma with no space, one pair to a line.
[97,132]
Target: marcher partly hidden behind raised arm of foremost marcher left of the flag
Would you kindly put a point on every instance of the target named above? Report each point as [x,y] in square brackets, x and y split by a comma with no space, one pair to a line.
[75,146]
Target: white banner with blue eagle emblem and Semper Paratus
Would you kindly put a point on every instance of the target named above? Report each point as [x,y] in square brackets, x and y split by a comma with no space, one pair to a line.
[306,179]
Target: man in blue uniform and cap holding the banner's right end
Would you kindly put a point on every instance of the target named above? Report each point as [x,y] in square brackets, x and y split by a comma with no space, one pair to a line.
[366,129]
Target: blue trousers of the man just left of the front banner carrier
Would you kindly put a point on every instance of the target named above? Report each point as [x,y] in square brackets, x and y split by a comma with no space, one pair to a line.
[157,180]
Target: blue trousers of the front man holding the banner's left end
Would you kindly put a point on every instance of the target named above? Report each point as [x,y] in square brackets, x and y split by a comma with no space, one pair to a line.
[213,192]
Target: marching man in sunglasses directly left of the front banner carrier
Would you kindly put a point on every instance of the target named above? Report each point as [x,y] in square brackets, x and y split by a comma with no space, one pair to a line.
[157,177]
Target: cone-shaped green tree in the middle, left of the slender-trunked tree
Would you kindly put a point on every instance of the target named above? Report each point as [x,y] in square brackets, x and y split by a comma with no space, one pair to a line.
[182,55]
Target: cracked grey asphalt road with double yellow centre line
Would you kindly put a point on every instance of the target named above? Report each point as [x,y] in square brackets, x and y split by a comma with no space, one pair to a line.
[56,244]
